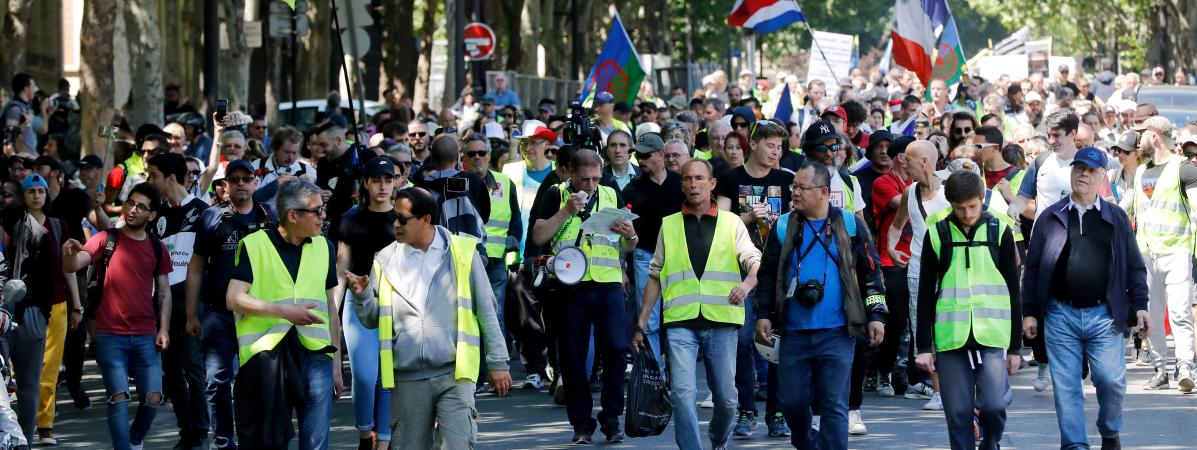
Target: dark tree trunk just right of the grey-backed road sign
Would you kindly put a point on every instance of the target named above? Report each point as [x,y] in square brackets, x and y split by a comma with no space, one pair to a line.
[399,47]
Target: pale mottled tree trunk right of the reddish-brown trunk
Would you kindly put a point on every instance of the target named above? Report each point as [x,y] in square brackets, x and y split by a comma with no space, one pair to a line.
[145,63]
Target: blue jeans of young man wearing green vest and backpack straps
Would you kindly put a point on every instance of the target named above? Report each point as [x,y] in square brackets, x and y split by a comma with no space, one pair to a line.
[975,380]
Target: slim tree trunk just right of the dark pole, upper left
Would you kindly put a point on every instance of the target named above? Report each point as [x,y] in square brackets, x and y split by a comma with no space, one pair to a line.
[235,60]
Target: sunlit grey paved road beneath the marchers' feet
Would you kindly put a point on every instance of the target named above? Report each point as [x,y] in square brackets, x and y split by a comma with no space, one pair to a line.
[530,421]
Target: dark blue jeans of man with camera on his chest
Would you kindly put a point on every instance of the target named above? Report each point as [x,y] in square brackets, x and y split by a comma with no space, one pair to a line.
[825,358]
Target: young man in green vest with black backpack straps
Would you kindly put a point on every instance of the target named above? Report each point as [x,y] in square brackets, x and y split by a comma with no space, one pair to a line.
[968,297]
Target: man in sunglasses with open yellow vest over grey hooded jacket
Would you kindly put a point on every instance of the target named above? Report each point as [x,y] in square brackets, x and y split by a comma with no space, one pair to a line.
[430,299]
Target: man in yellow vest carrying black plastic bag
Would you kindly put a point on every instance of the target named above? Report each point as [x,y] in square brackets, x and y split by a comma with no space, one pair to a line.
[700,257]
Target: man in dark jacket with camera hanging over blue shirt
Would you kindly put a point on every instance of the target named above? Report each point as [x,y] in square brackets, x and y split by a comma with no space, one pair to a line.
[821,282]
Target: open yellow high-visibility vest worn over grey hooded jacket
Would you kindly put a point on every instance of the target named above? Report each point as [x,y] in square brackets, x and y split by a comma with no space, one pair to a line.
[470,342]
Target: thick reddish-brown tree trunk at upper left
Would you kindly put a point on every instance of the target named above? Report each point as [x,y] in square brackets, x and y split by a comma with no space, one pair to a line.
[98,72]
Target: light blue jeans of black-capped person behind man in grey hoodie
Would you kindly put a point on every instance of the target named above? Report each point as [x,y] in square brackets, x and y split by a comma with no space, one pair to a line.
[372,404]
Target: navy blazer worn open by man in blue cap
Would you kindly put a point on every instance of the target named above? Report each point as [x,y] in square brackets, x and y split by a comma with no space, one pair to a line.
[1127,289]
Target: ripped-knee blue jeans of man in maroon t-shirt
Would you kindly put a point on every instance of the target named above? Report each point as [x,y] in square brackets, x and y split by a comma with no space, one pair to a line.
[120,357]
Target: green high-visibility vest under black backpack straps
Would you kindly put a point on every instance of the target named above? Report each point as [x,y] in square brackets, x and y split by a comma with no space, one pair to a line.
[974,296]
